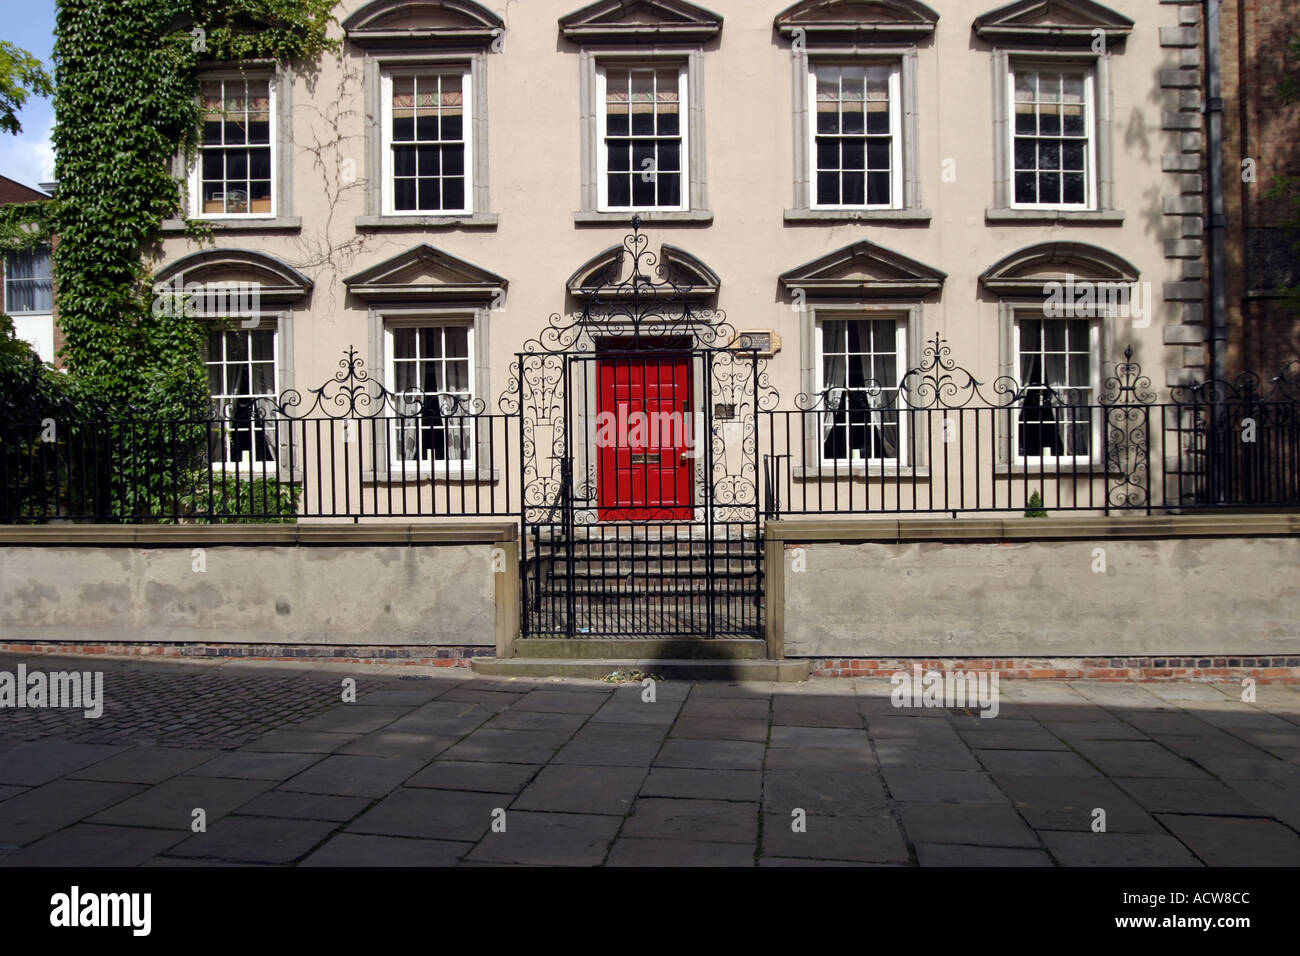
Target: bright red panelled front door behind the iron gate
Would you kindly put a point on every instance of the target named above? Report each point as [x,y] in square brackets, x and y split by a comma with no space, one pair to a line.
[644,438]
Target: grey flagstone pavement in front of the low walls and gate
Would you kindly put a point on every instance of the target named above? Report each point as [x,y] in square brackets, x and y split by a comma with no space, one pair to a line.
[231,763]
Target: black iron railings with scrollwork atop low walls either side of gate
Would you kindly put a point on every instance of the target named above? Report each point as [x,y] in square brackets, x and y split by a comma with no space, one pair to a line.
[937,443]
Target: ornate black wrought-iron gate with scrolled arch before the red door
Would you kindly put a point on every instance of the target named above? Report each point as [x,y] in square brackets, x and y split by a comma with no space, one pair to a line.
[639,457]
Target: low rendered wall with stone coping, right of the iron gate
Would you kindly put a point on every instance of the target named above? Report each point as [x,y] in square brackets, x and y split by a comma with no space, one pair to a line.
[1169,587]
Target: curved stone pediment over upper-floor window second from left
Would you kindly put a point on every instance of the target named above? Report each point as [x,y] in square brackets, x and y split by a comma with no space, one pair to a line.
[447,23]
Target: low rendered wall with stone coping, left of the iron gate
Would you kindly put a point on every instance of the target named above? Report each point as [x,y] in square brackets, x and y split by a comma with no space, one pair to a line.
[339,586]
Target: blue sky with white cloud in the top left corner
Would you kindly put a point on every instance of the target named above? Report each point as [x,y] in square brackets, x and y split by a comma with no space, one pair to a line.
[29,158]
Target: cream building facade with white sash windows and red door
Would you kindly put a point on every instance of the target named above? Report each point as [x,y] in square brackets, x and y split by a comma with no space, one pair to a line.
[839,192]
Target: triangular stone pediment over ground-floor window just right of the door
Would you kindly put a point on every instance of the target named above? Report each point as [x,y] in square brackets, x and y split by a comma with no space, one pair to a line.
[864,270]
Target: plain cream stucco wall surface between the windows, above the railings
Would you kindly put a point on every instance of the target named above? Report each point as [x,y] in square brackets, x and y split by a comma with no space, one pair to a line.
[535,171]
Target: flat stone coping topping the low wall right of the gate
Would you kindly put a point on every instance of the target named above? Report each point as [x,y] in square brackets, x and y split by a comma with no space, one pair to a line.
[857,530]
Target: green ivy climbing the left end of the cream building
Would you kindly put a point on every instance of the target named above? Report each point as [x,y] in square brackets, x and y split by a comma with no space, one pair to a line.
[127,101]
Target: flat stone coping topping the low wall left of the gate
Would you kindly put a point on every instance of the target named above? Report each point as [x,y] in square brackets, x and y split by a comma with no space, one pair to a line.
[255,535]
